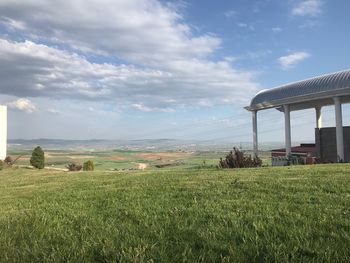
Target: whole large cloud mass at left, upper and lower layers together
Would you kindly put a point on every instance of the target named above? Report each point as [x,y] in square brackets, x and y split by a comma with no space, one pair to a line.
[139,54]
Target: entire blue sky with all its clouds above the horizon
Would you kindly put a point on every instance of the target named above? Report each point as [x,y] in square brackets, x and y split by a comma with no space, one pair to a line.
[147,69]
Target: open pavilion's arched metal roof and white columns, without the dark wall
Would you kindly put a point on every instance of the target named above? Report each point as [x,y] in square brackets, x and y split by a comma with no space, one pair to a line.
[317,92]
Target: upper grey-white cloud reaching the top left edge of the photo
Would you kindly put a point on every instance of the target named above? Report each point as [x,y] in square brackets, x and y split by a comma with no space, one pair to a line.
[141,31]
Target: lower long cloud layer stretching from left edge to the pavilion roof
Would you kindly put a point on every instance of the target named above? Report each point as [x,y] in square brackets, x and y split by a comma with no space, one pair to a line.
[33,70]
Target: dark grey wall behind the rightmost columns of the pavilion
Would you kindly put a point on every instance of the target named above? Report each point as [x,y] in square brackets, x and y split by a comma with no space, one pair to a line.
[326,144]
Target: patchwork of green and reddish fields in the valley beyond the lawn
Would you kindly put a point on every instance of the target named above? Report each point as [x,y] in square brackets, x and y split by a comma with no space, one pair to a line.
[123,160]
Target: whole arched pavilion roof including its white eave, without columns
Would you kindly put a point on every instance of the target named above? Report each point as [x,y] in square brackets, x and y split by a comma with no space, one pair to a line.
[312,89]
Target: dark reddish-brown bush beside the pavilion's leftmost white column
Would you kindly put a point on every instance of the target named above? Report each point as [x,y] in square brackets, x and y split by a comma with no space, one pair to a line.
[236,159]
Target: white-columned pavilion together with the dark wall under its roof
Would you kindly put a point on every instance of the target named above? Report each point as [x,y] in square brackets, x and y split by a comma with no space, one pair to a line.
[331,143]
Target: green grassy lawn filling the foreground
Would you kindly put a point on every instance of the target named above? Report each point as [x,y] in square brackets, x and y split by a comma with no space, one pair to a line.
[287,214]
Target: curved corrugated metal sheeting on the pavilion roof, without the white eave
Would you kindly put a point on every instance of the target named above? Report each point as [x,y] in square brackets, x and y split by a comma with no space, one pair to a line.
[330,82]
